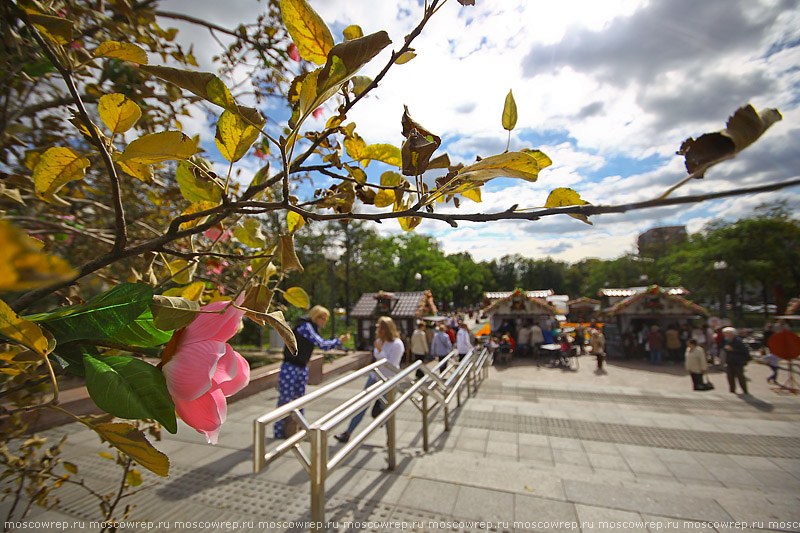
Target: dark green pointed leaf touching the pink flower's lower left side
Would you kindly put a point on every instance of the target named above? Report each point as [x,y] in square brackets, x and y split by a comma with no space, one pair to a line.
[130,388]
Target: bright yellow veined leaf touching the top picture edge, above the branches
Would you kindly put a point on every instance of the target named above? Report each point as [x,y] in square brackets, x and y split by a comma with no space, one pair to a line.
[307,29]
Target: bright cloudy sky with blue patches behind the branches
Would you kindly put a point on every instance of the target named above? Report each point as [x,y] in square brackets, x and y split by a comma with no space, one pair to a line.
[608,89]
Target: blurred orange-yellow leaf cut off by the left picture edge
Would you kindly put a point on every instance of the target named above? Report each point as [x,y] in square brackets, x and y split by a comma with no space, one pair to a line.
[22,266]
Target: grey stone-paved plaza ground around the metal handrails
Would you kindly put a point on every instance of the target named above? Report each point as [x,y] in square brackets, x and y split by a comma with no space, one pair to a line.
[536,449]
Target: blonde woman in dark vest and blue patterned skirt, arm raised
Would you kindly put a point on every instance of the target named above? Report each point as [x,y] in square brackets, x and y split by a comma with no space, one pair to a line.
[293,375]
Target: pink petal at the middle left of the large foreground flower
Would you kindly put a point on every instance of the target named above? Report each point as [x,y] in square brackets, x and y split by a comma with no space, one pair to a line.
[190,370]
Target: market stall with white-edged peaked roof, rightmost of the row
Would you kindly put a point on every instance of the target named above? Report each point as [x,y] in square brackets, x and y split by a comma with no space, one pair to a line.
[636,308]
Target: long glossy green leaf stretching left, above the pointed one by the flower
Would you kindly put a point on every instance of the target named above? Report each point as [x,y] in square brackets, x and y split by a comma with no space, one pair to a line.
[102,317]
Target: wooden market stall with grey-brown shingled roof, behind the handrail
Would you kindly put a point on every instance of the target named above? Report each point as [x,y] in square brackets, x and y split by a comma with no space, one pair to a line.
[405,308]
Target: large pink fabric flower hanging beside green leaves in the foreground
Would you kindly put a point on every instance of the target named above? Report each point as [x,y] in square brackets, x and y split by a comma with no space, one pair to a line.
[202,369]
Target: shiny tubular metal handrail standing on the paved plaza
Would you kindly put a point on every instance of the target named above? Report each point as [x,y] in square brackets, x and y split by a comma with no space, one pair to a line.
[441,385]
